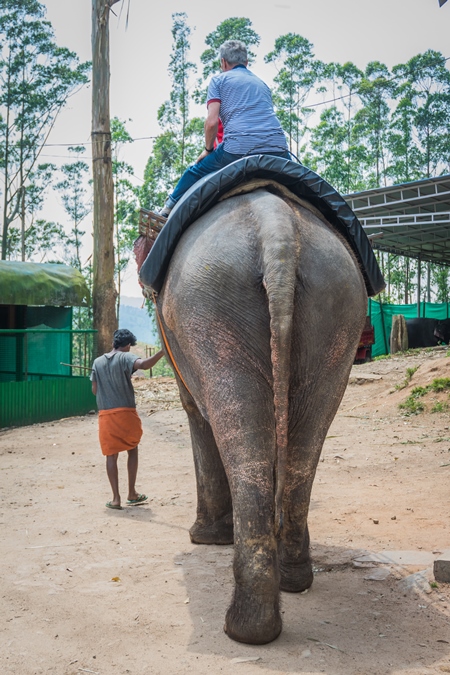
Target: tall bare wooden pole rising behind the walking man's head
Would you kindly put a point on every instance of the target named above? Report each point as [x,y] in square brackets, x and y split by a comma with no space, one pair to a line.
[104,292]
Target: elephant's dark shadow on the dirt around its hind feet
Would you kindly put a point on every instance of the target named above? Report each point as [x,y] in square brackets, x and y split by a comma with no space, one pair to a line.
[344,625]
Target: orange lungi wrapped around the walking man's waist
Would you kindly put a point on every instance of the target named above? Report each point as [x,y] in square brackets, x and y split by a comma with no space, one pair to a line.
[118,429]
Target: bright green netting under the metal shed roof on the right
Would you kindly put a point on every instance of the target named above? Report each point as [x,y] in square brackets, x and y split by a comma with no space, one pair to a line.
[381,318]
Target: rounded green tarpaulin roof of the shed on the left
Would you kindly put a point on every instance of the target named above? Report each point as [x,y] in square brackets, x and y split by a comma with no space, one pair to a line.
[24,283]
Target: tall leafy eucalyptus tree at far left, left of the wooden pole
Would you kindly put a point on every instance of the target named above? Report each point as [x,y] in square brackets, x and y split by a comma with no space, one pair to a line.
[36,79]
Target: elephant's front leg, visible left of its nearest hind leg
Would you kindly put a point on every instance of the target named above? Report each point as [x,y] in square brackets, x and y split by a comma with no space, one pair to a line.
[214,522]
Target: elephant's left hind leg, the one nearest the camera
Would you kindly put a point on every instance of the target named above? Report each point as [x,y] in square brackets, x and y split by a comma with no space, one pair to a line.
[248,455]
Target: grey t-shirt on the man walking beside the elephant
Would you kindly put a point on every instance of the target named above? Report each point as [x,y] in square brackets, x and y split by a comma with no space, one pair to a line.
[112,372]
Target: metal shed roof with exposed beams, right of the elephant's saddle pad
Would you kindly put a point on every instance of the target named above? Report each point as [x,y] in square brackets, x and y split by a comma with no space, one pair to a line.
[411,219]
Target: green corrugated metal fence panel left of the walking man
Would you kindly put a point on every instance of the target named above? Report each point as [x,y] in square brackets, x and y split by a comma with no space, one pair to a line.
[24,403]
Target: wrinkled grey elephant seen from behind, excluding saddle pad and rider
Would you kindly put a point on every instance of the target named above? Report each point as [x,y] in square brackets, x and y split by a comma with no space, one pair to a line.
[263,306]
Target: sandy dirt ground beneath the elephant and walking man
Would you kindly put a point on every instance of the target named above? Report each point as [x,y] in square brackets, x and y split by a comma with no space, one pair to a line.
[85,589]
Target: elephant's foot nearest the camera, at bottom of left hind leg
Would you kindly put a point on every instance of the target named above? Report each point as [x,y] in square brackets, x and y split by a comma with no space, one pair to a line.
[253,619]
